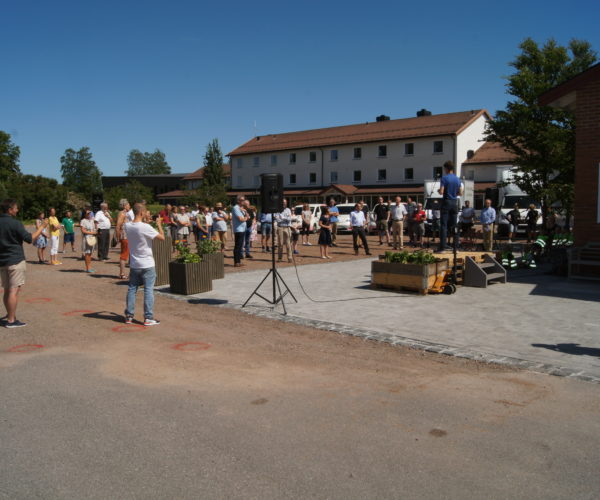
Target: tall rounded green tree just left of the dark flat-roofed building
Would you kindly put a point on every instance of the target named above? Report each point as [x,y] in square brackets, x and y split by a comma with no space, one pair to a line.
[80,173]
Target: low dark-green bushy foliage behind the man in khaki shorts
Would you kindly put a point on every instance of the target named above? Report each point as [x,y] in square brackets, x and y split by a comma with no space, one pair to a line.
[36,193]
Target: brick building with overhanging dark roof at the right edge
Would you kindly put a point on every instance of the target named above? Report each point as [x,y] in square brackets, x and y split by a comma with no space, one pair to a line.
[581,94]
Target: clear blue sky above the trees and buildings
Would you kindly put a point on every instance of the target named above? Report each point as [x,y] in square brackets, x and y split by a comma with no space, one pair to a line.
[118,75]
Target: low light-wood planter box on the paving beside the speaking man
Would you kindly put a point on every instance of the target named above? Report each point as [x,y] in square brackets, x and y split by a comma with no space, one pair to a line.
[417,277]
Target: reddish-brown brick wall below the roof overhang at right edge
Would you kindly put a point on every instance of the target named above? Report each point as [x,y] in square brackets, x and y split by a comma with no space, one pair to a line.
[587,158]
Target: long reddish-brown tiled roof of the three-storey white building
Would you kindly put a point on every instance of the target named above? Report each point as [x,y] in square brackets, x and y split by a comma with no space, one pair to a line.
[405,128]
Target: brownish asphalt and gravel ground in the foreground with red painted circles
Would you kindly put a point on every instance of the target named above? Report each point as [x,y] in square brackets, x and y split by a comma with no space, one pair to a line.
[216,403]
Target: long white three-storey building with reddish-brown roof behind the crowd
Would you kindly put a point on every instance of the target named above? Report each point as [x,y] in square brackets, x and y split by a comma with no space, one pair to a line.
[384,157]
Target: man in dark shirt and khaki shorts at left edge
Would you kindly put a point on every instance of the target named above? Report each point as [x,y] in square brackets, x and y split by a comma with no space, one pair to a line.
[12,258]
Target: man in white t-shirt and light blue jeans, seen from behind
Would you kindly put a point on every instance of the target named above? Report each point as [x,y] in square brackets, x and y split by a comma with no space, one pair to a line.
[141,263]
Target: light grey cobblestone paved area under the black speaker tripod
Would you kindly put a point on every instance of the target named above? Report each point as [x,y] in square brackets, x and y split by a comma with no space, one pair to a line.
[524,324]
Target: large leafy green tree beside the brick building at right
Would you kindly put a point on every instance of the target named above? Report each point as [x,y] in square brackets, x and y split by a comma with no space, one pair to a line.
[541,138]
